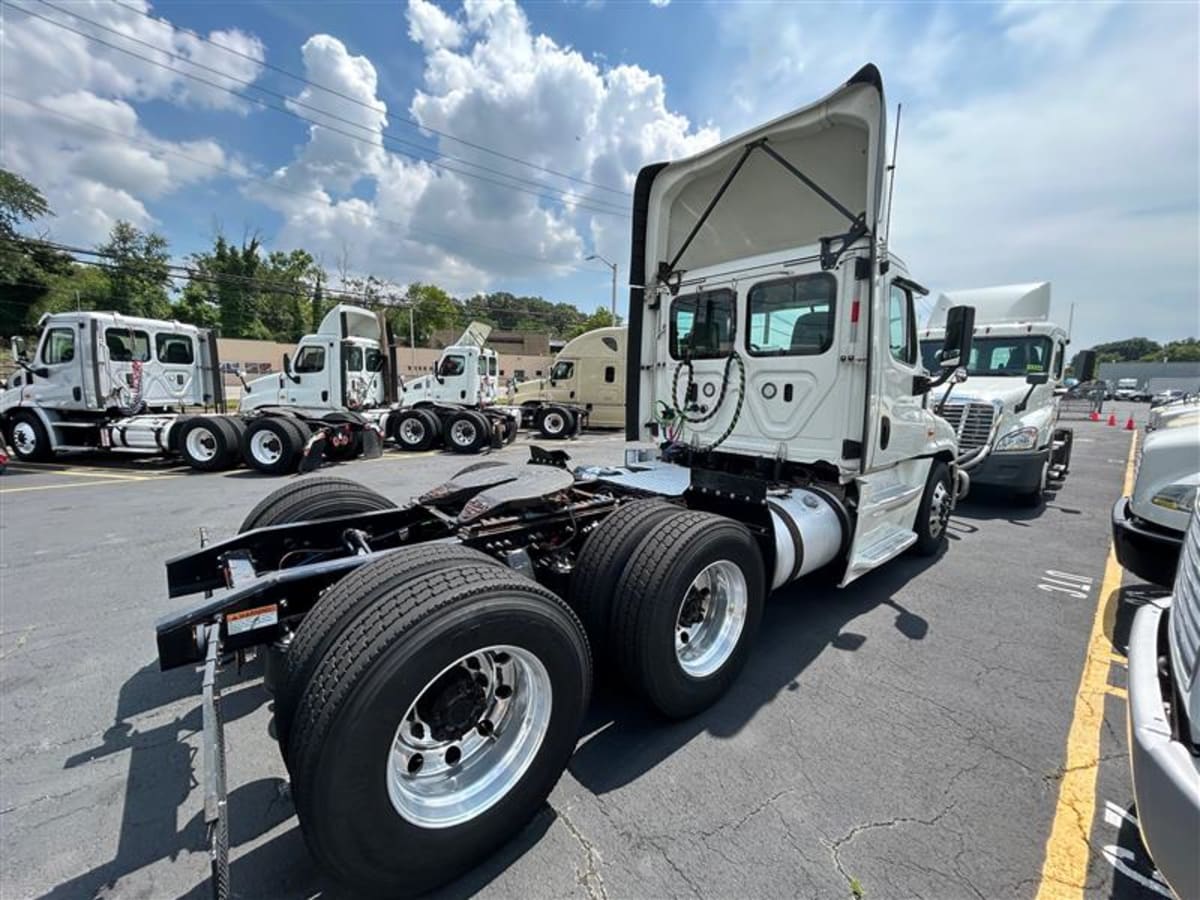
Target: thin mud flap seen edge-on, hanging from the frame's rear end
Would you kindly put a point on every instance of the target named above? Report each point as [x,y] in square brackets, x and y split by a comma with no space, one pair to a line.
[217,819]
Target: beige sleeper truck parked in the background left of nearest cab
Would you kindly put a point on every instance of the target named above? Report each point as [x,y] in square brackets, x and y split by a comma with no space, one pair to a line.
[586,387]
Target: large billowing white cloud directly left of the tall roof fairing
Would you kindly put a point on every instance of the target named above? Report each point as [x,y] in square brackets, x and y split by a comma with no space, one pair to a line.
[494,83]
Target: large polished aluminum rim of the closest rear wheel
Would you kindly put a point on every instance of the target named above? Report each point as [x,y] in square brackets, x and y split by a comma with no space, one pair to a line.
[440,782]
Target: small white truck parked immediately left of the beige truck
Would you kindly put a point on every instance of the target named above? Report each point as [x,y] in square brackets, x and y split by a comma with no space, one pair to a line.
[455,405]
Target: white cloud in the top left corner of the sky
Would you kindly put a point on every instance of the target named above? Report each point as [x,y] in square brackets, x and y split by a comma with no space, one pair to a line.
[75,130]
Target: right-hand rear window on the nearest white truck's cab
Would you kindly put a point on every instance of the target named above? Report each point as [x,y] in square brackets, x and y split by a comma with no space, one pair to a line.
[791,317]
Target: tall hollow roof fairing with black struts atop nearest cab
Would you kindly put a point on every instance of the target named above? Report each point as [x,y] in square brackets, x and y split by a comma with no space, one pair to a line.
[837,143]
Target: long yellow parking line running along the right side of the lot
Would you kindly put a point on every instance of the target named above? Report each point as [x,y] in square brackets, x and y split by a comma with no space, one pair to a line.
[1069,850]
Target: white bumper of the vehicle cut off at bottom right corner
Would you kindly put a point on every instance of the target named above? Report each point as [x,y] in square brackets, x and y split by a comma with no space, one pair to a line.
[1166,775]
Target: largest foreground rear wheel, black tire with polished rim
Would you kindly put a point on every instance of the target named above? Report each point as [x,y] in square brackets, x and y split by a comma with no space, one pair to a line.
[425,681]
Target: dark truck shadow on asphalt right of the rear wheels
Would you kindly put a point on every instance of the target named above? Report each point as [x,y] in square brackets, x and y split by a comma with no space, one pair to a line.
[800,623]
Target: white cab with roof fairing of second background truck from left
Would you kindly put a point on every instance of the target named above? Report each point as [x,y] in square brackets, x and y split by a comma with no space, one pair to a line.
[343,367]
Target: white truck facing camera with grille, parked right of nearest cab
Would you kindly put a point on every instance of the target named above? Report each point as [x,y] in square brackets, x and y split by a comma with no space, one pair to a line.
[1011,406]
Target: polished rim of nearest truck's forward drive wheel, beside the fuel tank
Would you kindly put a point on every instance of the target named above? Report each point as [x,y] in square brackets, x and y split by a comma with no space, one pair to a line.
[711,619]
